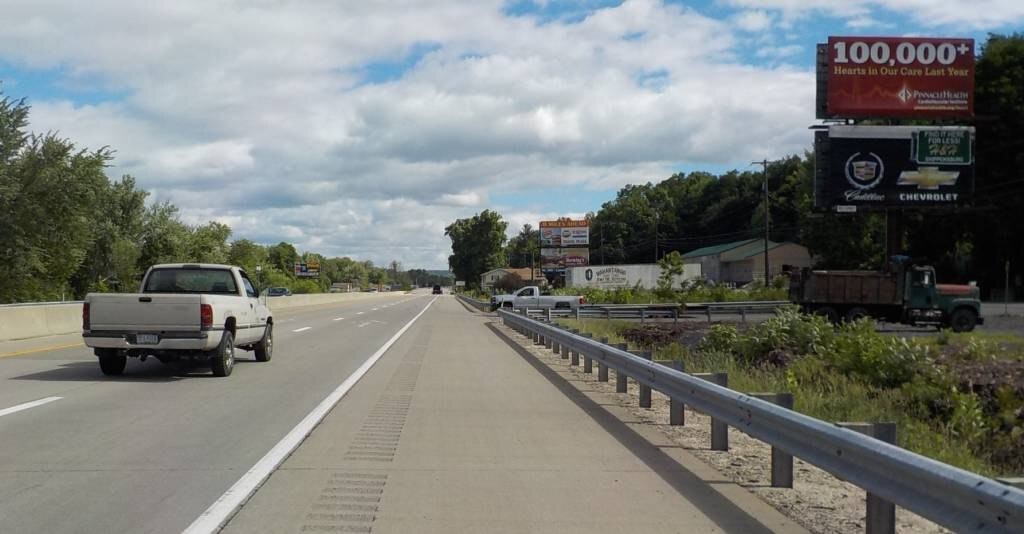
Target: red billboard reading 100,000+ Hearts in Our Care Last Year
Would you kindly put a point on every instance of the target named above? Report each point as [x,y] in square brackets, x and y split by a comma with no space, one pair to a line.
[910,77]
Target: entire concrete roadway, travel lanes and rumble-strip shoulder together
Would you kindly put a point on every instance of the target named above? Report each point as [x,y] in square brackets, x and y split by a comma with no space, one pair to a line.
[417,417]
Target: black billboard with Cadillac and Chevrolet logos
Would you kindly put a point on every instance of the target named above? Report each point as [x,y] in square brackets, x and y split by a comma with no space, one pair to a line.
[893,167]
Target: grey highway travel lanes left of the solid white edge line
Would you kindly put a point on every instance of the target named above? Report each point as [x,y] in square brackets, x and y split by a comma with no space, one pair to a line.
[152,450]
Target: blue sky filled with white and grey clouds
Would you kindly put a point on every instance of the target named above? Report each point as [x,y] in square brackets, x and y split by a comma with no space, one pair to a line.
[363,129]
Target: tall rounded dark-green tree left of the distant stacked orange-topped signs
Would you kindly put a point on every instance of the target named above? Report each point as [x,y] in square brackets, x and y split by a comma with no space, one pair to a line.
[478,245]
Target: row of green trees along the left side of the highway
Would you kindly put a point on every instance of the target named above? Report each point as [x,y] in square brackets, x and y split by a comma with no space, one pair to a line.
[67,229]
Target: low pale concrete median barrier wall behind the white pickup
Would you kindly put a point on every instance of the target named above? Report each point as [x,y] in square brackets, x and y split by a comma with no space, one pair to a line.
[35,321]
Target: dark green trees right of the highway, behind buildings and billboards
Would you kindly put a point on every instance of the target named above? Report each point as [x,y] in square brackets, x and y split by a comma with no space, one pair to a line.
[688,212]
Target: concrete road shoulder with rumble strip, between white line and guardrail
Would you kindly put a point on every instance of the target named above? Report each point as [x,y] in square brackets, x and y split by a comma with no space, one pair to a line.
[456,431]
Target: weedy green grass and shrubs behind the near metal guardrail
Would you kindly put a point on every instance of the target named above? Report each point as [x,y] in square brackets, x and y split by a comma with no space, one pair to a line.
[934,389]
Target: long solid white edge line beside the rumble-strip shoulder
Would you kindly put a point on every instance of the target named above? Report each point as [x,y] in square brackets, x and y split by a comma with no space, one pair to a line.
[219,513]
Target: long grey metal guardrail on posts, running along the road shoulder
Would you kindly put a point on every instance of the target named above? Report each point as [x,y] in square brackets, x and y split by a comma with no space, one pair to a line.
[953,498]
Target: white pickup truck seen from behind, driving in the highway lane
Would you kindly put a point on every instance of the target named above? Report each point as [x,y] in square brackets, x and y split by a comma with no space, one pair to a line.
[196,312]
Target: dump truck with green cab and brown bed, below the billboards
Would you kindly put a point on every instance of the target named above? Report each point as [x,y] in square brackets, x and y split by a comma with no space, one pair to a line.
[904,294]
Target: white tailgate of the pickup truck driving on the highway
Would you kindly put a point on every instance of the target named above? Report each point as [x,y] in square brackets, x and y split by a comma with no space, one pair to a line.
[150,313]
